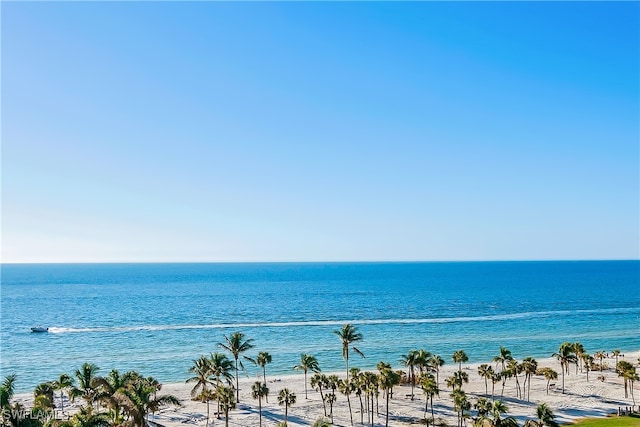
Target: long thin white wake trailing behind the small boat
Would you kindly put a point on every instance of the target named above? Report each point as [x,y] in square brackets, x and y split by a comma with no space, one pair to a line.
[493,318]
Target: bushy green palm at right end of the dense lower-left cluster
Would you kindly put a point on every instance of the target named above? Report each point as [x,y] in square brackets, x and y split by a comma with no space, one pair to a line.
[138,399]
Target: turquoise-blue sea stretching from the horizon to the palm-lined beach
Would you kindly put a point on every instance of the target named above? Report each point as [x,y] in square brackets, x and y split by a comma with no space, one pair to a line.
[157,318]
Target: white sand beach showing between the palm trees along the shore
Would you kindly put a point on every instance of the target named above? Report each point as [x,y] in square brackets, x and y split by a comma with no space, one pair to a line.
[596,397]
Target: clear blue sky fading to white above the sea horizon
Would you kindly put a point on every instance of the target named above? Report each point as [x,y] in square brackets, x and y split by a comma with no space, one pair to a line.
[320,131]
